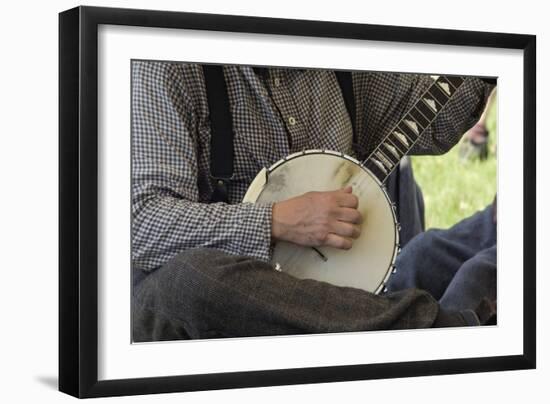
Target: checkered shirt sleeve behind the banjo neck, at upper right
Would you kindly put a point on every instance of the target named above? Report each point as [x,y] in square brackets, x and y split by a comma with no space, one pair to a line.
[389,96]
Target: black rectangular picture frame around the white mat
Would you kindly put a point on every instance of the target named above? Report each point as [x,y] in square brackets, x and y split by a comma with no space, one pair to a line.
[78,201]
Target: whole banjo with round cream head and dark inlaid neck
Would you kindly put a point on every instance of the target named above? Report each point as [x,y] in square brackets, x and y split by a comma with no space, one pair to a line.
[370,261]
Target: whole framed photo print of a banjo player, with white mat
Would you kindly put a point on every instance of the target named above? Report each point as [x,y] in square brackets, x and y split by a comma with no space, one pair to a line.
[251,201]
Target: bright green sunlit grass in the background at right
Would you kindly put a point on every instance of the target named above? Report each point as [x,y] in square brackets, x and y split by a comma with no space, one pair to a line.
[455,189]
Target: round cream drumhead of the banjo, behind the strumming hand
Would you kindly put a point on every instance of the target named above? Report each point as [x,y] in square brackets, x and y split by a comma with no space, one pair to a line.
[369,262]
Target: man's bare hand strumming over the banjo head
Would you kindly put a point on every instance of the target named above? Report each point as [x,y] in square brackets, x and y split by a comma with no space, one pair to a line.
[318,219]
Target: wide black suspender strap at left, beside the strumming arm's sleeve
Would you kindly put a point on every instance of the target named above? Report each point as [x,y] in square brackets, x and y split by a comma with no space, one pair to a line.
[221,125]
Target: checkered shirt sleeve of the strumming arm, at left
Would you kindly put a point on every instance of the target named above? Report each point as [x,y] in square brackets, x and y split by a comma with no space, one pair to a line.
[167,215]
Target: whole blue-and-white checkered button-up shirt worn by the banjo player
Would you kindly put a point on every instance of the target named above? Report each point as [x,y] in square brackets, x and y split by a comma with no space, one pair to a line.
[284,111]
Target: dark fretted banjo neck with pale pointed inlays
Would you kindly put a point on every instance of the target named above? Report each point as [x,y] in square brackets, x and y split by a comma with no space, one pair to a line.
[401,139]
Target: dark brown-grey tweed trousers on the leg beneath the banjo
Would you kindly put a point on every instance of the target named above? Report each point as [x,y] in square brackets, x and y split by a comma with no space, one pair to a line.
[206,293]
